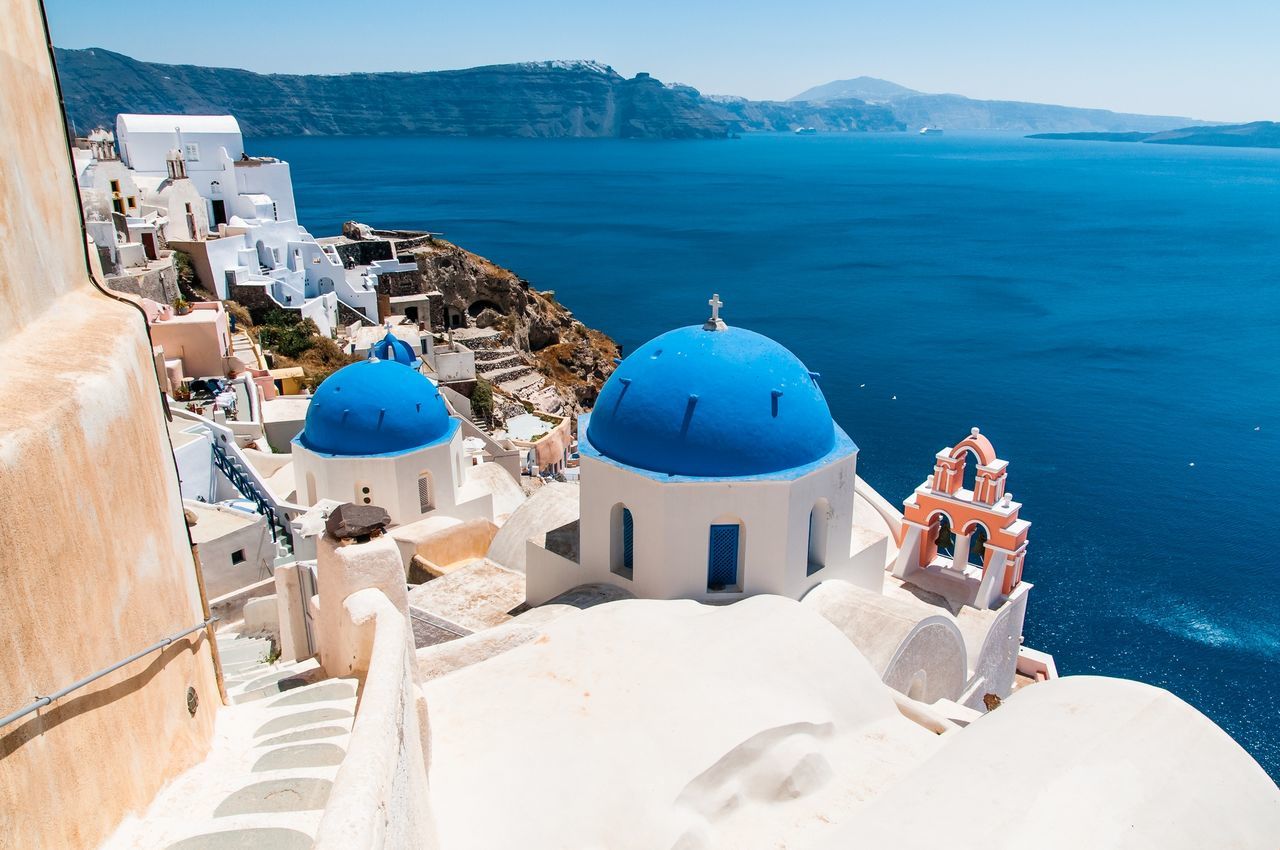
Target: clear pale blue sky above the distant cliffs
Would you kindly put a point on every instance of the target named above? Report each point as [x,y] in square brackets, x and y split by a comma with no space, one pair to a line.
[1210,60]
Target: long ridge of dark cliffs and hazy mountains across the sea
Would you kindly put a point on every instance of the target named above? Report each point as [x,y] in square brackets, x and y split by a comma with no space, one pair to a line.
[533,100]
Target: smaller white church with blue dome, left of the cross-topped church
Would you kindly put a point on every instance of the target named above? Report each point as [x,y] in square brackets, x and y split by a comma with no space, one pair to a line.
[380,433]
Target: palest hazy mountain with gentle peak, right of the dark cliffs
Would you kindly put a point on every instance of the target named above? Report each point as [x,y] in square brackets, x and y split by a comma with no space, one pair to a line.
[956,112]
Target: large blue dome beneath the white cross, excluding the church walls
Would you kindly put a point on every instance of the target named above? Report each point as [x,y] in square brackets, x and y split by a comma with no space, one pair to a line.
[712,404]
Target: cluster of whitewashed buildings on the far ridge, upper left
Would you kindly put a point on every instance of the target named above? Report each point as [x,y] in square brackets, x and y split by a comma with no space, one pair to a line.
[185,182]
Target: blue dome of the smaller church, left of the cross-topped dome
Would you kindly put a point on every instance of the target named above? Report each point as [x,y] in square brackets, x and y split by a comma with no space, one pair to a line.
[376,408]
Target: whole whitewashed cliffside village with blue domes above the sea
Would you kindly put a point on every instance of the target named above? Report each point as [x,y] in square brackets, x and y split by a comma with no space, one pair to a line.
[479,584]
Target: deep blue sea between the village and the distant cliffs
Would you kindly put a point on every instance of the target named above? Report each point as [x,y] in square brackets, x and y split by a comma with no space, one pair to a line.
[1108,314]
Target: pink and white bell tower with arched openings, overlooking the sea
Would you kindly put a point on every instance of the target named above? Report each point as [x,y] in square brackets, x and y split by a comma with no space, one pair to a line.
[980,524]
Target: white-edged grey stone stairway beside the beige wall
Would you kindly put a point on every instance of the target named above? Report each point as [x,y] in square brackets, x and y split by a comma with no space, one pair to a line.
[273,761]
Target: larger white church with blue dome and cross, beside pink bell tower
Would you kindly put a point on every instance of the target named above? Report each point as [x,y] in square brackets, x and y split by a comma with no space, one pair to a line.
[712,469]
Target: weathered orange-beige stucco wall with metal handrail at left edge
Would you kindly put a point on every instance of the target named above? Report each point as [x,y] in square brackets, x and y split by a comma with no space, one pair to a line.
[95,563]
